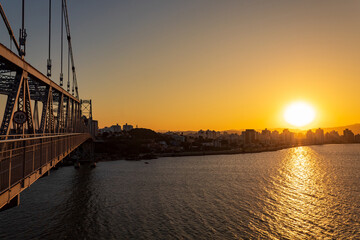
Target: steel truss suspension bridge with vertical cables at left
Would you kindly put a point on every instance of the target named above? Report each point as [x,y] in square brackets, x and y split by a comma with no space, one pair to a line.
[42,122]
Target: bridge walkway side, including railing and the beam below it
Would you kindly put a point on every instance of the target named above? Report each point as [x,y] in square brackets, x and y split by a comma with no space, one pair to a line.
[24,160]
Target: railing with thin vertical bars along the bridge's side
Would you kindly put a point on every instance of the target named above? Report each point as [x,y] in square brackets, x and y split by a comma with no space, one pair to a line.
[19,158]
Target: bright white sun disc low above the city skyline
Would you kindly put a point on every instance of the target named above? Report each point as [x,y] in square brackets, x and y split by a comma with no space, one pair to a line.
[299,114]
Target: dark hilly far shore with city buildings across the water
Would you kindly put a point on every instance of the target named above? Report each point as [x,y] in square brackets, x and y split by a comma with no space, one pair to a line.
[145,141]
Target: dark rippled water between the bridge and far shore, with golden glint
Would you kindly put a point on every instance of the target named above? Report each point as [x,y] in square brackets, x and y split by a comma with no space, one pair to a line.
[298,193]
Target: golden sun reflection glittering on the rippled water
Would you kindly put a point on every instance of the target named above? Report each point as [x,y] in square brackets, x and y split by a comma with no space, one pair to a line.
[301,199]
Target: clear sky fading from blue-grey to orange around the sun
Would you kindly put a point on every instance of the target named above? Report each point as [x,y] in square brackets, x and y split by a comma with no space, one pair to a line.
[190,65]
